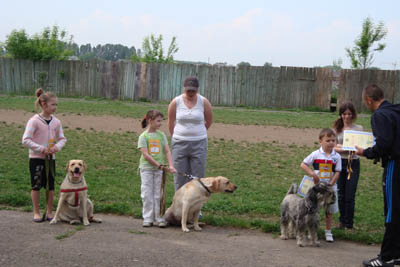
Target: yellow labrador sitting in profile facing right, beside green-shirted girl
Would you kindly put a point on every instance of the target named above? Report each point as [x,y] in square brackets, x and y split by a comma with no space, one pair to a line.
[191,197]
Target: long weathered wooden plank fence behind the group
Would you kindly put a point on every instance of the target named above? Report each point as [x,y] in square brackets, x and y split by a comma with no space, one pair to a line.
[276,87]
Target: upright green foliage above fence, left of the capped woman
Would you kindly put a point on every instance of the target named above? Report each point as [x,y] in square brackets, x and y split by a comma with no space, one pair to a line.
[152,50]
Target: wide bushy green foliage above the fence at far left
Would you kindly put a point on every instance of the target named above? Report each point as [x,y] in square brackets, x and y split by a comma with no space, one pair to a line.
[50,44]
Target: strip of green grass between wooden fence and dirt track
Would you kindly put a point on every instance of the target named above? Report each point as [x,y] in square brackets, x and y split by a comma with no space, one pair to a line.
[245,116]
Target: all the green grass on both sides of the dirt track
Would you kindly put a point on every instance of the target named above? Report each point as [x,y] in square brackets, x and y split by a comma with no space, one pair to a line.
[263,172]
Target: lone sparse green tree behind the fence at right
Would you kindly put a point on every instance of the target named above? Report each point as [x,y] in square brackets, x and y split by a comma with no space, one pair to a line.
[361,55]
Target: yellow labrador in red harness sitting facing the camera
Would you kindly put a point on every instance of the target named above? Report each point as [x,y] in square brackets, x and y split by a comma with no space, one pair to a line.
[74,204]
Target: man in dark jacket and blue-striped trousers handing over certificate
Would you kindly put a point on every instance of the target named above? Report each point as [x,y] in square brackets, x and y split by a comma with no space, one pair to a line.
[385,123]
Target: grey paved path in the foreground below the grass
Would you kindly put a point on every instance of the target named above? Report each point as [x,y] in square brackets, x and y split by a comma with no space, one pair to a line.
[121,241]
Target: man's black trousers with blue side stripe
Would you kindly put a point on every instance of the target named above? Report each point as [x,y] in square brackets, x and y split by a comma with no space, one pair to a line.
[390,248]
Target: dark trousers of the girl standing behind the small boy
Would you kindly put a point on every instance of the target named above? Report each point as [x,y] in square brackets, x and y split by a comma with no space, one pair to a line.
[347,192]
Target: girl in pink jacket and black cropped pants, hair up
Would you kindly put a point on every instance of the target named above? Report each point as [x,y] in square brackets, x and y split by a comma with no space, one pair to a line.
[44,137]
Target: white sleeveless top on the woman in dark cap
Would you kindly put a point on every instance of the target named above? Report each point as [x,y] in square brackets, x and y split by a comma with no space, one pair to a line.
[189,124]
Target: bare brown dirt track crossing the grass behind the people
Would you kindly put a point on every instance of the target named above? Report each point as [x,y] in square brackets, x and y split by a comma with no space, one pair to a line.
[251,133]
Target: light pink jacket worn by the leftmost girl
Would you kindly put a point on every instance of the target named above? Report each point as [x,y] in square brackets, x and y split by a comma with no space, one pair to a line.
[39,135]
